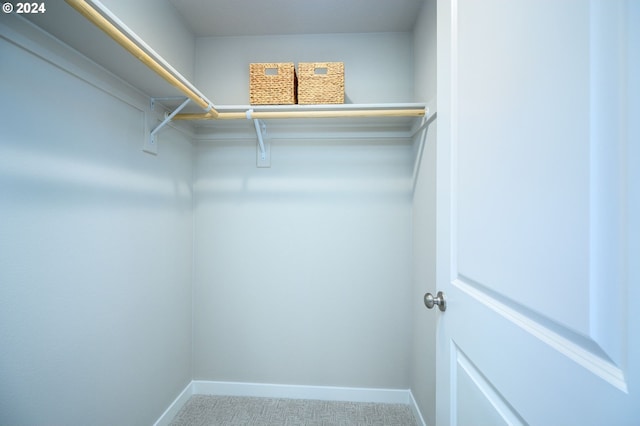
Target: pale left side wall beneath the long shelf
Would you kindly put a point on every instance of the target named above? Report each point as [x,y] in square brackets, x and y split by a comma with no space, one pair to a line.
[95,244]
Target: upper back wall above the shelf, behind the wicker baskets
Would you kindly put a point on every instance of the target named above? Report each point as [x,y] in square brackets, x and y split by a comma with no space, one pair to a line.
[378,67]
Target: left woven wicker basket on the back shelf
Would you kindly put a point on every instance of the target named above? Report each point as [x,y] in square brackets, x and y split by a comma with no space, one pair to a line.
[272,84]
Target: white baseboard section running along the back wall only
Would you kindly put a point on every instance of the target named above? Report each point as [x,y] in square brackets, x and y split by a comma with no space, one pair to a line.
[325,393]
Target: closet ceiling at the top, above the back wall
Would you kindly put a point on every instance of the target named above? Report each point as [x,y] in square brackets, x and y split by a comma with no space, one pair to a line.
[266,17]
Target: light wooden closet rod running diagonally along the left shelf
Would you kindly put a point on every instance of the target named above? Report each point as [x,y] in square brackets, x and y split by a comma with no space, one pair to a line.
[125,41]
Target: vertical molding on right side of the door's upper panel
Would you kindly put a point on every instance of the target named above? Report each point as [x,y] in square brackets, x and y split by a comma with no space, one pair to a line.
[608,30]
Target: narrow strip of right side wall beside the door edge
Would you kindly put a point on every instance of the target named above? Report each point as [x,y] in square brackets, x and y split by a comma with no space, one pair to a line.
[423,362]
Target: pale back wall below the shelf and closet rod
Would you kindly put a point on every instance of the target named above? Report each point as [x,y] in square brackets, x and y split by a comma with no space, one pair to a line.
[303,270]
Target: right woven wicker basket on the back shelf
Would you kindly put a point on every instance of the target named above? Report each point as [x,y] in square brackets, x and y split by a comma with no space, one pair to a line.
[321,83]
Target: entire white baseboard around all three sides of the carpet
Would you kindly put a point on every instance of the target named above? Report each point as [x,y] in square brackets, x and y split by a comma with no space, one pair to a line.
[326,393]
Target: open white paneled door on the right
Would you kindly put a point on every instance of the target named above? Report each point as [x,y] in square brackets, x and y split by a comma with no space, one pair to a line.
[538,212]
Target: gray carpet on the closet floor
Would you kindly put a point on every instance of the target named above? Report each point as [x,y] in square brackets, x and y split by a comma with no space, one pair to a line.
[209,410]
